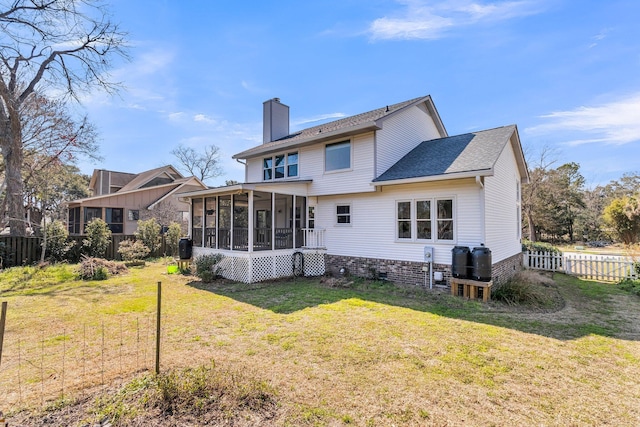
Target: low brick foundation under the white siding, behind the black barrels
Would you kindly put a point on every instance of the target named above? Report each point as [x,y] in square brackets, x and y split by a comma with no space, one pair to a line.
[409,272]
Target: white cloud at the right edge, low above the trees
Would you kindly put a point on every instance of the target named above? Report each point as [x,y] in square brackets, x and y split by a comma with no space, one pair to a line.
[617,122]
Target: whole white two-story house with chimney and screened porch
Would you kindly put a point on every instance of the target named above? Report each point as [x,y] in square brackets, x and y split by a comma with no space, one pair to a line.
[368,195]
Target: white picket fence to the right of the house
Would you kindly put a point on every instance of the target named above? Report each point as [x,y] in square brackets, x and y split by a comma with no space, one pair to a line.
[596,267]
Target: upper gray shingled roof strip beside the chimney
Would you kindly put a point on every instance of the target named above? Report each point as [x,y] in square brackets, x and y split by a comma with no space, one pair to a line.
[334,126]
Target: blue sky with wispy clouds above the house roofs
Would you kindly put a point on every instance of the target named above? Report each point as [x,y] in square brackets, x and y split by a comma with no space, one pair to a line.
[566,72]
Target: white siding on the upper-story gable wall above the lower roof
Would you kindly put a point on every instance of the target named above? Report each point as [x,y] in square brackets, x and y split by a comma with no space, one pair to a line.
[400,134]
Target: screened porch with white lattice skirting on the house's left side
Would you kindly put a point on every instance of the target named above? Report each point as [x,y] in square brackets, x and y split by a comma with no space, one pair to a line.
[262,234]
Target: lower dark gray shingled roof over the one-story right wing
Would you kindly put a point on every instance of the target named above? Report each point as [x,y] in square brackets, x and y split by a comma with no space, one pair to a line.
[476,151]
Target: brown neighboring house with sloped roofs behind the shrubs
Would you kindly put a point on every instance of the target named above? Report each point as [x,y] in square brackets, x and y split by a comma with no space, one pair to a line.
[121,199]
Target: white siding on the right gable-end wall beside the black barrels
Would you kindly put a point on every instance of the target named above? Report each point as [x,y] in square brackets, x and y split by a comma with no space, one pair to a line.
[502,204]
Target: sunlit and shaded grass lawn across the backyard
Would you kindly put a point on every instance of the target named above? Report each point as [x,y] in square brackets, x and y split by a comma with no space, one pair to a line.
[358,353]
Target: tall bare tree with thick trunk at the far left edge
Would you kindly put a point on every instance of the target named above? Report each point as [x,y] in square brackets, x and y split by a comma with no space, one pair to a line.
[59,45]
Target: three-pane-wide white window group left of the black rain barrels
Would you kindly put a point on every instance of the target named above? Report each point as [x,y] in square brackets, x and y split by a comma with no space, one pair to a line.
[417,219]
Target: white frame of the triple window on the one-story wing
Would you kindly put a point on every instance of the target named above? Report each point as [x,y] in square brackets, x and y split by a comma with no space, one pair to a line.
[434,220]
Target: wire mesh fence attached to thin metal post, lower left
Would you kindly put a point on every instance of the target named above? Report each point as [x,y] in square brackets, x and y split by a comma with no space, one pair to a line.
[59,359]
